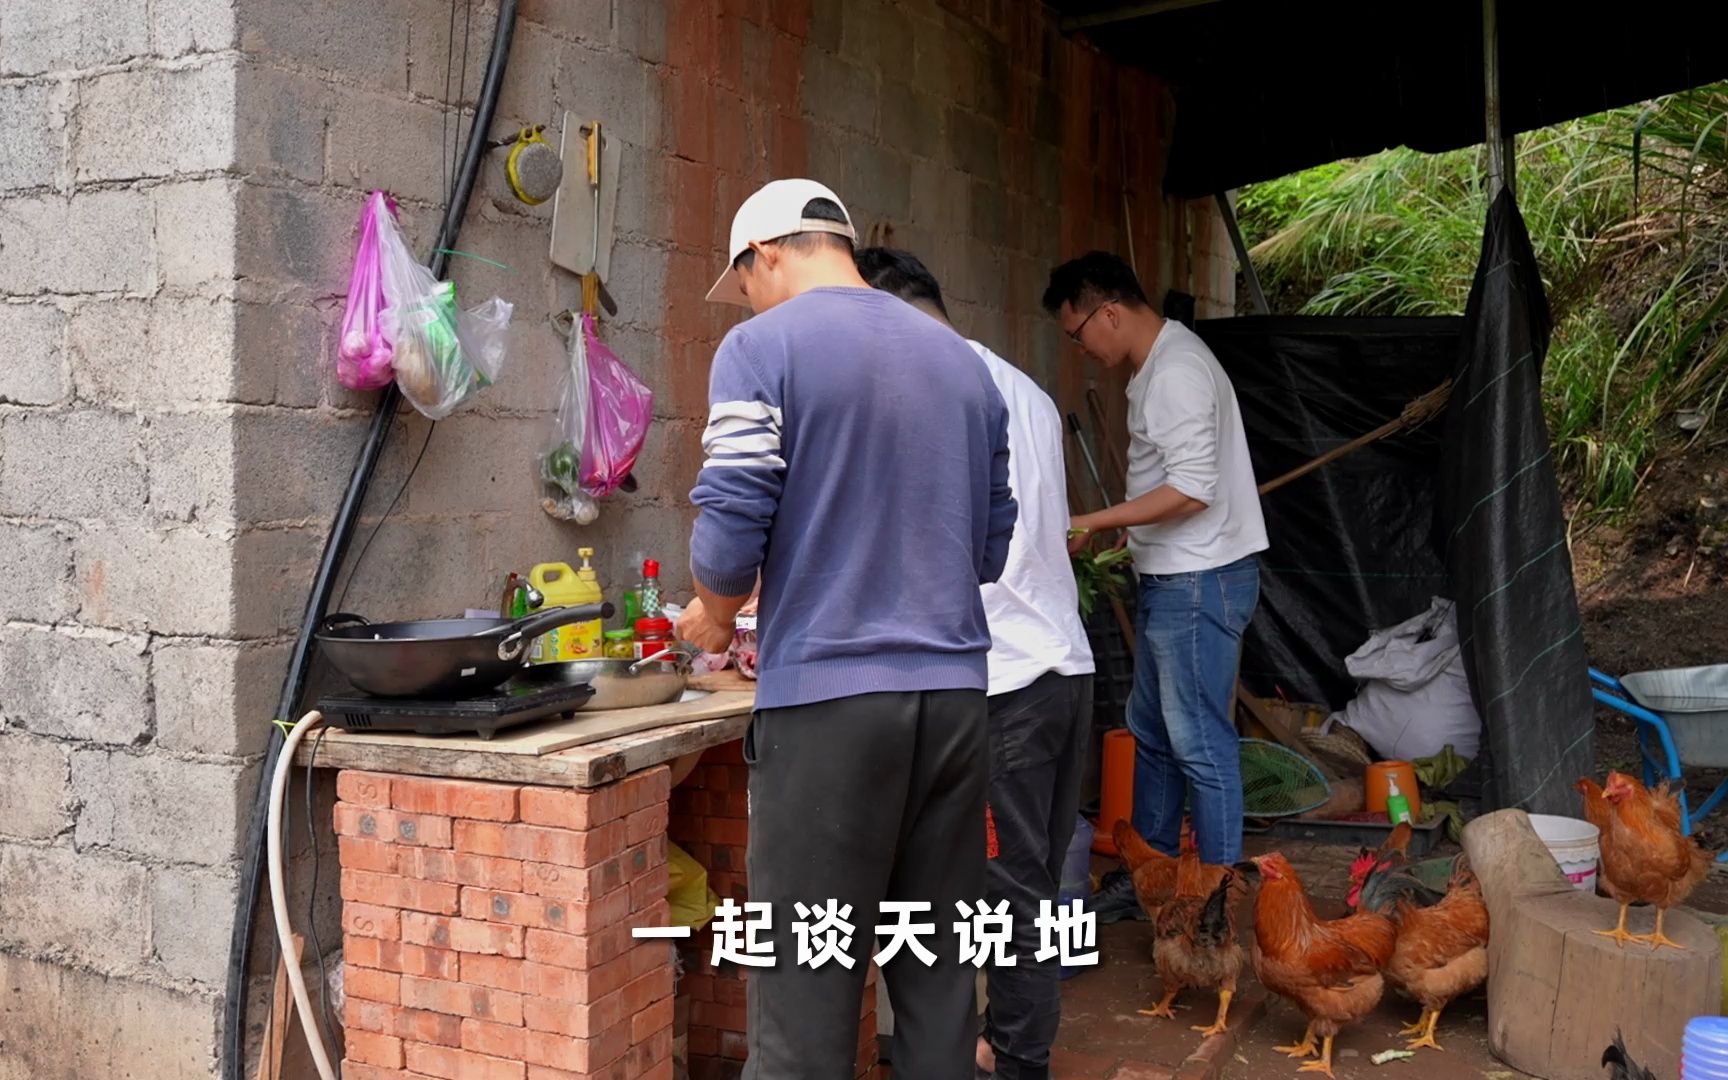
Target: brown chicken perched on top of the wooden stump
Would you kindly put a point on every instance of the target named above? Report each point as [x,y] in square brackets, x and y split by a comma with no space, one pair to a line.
[1644,854]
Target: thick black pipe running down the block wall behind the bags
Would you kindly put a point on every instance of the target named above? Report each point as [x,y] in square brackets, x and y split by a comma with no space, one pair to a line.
[336,549]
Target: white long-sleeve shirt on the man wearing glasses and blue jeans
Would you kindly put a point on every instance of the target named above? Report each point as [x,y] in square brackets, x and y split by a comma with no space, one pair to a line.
[1186,431]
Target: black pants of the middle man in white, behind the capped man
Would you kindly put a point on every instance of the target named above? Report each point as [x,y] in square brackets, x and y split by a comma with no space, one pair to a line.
[1038,758]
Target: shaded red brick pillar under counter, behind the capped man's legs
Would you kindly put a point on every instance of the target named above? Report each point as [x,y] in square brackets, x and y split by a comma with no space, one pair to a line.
[711,822]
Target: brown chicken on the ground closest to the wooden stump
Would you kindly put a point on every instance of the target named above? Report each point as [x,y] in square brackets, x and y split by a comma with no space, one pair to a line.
[1442,950]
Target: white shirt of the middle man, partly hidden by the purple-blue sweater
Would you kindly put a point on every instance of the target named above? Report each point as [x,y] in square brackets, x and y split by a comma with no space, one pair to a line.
[1034,609]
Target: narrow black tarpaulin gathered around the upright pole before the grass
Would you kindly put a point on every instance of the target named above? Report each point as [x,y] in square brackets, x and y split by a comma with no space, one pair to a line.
[1502,533]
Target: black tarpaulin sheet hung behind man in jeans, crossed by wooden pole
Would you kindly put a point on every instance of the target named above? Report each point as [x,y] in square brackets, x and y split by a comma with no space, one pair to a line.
[1352,543]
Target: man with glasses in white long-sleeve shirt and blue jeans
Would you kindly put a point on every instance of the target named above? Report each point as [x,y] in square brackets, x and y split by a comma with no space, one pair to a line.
[1195,530]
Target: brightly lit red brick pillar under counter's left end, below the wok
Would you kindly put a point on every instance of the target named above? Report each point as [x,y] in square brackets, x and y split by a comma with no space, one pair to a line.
[488,929]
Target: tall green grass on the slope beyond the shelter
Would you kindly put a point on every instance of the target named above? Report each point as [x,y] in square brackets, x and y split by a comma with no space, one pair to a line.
[1627,213]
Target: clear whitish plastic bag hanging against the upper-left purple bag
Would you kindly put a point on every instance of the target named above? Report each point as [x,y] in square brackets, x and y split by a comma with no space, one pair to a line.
[442,355]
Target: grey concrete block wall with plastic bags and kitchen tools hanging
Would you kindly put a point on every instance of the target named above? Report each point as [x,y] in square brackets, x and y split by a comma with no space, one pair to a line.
[179,191]
